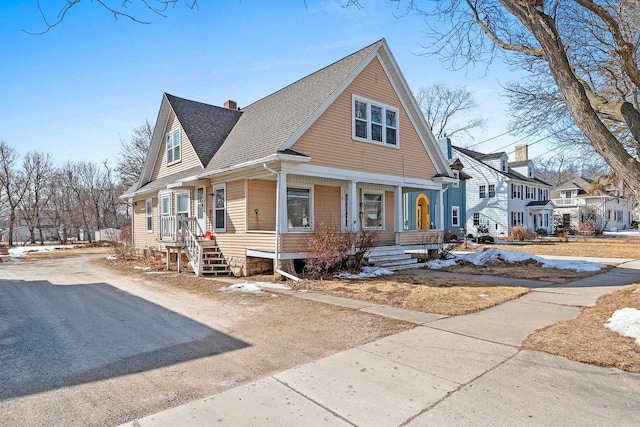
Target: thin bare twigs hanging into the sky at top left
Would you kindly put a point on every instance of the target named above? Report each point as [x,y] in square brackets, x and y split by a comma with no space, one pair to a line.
[133,10]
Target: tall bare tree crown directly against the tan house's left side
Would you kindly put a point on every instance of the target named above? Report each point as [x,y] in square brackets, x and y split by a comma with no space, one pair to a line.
[133,153]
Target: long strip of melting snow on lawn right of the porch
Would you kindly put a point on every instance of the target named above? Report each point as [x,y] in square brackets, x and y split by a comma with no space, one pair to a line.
[492,256]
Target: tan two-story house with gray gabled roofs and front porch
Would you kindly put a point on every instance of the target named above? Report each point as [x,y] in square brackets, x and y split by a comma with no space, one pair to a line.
[340,146]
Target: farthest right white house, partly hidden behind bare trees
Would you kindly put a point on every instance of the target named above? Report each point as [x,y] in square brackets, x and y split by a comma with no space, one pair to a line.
[575,198]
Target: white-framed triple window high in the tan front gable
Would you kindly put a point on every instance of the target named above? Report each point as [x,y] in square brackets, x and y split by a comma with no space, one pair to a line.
[375,122]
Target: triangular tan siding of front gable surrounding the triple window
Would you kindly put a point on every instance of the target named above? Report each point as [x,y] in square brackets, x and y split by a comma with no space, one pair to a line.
[328,141]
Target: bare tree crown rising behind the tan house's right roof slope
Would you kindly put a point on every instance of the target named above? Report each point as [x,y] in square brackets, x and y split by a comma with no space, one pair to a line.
[444,109]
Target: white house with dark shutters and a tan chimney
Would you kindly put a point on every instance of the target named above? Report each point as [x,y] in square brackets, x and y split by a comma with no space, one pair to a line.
[503,195]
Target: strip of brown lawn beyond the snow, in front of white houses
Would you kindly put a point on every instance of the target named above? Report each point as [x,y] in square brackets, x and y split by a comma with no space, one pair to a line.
[609,247]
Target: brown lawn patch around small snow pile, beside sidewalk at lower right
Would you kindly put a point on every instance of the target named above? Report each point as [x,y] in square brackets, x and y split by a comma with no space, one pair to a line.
[585,339]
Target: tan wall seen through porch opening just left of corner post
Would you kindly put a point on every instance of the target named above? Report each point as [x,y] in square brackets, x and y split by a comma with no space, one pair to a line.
[261,196]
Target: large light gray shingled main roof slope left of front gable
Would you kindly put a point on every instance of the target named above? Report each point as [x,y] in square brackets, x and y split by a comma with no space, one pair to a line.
[268,123]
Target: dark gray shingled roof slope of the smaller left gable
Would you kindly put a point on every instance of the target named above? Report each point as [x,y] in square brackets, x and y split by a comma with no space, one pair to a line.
[207,126]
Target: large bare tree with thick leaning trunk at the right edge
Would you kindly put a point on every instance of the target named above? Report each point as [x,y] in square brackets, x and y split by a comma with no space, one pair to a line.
[588,49]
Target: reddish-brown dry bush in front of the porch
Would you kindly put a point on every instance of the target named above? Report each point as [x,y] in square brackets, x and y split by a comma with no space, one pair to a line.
[330,249]
